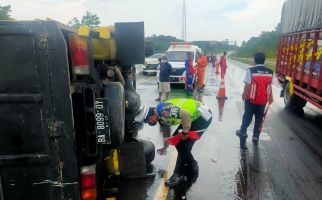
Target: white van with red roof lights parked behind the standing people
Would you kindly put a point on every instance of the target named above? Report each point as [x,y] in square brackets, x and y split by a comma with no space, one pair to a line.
[177,55]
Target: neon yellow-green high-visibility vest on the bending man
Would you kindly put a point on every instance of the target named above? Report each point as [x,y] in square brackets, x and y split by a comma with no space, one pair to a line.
[169,111]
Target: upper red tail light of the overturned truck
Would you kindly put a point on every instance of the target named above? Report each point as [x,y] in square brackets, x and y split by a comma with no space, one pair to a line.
[79,55]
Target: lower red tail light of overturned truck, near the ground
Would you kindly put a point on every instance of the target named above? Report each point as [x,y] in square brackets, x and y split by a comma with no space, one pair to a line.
[88,182]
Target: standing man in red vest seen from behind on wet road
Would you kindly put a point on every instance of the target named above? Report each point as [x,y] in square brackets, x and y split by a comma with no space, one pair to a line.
[257,93]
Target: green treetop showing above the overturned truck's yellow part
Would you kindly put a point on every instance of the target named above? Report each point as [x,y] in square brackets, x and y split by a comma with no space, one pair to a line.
[89,19]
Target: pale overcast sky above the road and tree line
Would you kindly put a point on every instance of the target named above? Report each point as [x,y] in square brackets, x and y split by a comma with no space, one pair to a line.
[236,20]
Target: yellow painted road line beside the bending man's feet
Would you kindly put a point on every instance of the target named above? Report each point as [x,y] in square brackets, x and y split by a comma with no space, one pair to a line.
[162,191]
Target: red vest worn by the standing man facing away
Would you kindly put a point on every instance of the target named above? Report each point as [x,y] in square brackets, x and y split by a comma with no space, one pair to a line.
[261,85]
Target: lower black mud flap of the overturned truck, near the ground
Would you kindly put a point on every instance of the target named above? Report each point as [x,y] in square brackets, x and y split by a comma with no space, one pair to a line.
[132,160]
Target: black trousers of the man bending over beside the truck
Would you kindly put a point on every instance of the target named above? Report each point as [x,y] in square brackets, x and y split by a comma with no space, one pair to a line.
[184,147]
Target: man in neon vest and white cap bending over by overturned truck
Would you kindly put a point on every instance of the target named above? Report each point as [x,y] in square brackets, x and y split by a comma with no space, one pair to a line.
[190,115]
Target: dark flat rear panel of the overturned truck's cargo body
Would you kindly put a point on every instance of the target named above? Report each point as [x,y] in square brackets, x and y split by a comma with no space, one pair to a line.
[37,159]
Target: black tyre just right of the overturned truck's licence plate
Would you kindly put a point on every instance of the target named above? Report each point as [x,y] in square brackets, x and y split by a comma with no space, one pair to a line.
[114,92]
